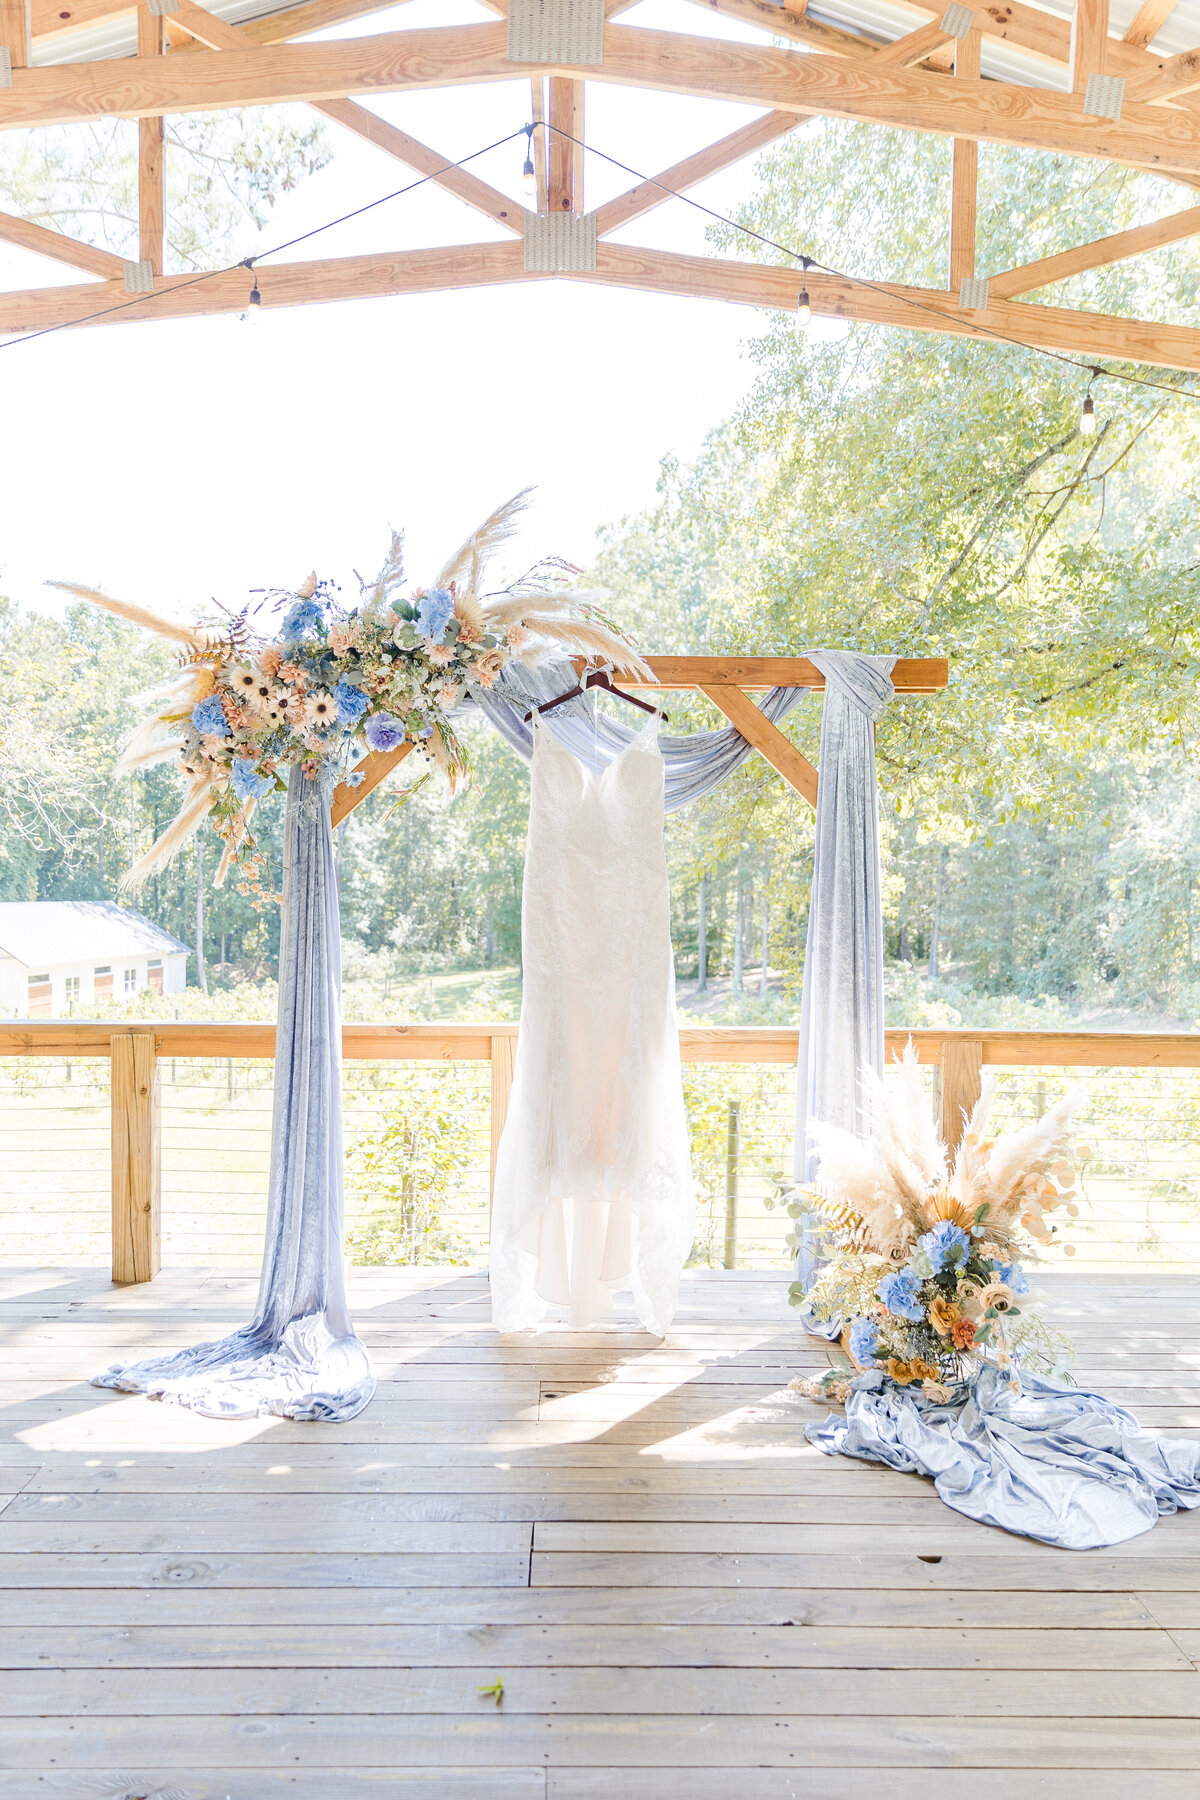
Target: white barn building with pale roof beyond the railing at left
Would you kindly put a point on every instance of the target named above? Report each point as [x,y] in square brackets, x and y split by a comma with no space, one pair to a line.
[62,957]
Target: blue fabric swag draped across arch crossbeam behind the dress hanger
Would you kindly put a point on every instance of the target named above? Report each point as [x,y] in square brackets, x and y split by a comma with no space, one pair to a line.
[695,764]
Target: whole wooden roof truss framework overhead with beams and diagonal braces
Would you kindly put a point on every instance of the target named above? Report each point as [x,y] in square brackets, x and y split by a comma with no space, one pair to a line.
[1091,94]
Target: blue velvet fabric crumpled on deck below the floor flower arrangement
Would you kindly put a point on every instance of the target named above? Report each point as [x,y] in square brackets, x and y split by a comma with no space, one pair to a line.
[1050,1461]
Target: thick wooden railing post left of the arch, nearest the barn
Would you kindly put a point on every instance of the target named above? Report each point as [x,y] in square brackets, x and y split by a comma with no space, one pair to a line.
[138,1156]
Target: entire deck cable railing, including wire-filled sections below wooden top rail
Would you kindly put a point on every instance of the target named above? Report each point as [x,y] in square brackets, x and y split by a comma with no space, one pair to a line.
[152,1135]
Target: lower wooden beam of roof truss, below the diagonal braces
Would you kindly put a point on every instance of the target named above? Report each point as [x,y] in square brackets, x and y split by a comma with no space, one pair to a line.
[623,267]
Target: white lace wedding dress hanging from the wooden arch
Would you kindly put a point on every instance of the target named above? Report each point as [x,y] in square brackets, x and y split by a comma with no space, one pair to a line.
[593,1176]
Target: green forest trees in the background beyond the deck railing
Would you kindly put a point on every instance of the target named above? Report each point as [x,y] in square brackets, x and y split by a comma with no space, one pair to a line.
[881,490]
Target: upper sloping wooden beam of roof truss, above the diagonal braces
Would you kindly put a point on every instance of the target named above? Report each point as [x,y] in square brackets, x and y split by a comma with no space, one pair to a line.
[667,62]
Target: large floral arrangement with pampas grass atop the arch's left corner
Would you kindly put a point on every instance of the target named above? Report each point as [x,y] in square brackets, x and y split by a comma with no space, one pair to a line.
[332,685]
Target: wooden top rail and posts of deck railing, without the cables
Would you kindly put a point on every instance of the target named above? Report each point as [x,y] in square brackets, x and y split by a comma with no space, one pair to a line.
[136,1050]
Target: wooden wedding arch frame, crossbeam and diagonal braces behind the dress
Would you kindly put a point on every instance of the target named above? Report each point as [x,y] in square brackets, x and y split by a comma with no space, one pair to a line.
[726,681]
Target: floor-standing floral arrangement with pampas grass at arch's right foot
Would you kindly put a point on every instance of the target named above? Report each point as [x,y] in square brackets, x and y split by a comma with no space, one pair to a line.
[926,1252]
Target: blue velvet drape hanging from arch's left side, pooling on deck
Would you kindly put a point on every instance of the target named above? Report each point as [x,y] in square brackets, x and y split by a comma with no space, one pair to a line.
[300,1358]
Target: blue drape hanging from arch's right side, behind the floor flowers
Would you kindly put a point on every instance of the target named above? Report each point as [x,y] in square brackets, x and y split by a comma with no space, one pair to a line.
[843,994]
